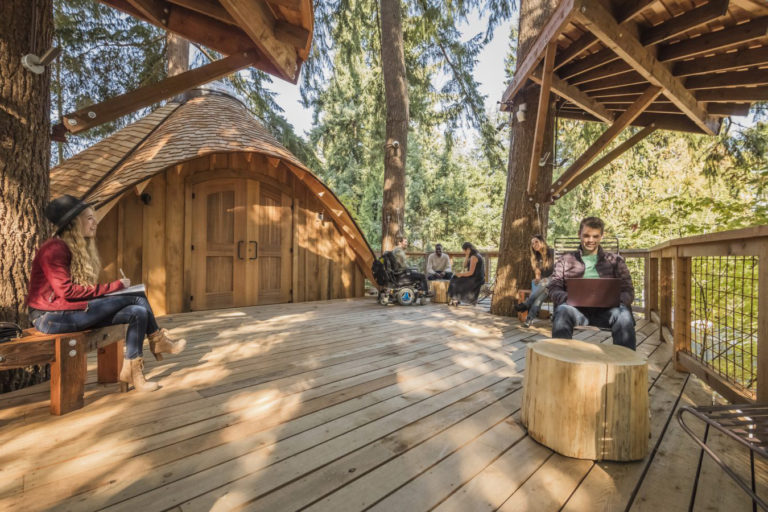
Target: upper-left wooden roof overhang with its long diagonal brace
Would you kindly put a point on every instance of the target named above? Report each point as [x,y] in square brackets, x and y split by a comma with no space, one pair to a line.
[271,35]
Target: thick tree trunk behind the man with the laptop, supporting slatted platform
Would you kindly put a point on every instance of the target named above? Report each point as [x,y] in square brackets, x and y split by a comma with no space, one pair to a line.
[522,218]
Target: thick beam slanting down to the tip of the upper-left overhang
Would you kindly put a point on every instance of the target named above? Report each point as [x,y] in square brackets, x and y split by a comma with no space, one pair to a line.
[258,22]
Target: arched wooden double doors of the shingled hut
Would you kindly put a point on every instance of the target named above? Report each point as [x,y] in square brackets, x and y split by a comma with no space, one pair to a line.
[241,235]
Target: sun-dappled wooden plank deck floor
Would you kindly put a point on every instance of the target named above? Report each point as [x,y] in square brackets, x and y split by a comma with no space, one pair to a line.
[342,405]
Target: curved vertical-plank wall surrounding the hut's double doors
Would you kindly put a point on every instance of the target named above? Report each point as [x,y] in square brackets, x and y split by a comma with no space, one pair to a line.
[150,240]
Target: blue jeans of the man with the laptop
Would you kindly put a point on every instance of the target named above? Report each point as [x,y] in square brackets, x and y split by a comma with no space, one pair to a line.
[619,320]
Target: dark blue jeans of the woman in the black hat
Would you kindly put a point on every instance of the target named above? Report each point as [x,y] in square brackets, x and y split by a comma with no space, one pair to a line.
[104,311]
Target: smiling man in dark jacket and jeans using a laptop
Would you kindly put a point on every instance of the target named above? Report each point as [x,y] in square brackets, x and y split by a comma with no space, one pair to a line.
[590,261]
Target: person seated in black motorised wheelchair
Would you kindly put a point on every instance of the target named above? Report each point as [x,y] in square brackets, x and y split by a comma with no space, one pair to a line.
[398,282]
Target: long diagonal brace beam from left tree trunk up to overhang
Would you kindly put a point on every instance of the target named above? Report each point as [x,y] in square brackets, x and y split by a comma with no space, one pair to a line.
[118,106]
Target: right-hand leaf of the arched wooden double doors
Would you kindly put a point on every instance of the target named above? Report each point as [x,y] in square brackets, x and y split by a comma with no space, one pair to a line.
[274,245]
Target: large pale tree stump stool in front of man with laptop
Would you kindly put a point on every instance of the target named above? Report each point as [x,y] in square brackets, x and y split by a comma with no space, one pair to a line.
[587,401]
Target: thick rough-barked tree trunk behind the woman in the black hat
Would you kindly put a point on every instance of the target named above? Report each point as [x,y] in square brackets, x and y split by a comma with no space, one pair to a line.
[25,27]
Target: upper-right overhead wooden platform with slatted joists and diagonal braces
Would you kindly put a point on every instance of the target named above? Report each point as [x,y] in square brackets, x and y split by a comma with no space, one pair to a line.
[658,64]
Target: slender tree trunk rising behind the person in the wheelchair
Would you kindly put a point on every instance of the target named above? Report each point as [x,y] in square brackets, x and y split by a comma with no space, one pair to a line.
[396,92]
